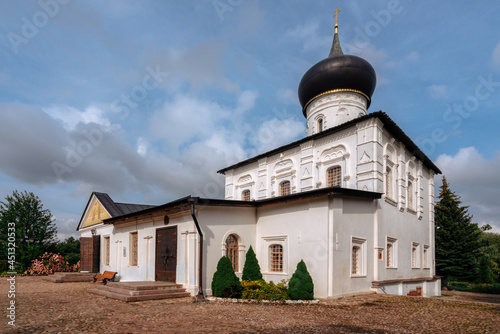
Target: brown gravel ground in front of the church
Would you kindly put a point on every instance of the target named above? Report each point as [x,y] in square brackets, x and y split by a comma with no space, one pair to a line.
[45,307]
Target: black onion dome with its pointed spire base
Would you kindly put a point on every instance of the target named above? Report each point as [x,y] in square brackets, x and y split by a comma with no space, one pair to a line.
[337,72]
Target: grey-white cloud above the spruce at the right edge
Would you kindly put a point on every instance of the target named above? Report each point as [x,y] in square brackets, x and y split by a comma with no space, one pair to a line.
[475,179]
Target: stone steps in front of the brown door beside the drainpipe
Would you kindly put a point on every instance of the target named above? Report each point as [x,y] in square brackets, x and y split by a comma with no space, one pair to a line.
[139,291]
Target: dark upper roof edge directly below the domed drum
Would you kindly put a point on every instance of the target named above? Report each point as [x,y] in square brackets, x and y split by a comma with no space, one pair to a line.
[389,124]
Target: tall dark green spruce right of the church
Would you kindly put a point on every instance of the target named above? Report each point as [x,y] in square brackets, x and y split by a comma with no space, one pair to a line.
[457,238]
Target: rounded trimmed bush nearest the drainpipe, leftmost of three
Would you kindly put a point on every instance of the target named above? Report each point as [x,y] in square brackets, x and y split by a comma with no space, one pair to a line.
[225,283]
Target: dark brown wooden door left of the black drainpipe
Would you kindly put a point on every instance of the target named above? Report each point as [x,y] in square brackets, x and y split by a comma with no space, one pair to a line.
[166,254]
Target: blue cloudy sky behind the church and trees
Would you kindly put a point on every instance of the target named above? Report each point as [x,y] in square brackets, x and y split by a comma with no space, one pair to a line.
[146,100]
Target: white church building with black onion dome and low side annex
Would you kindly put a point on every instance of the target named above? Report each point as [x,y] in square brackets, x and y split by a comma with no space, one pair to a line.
[354,199]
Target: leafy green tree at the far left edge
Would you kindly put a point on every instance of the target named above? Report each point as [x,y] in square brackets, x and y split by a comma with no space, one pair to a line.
[25,223]
